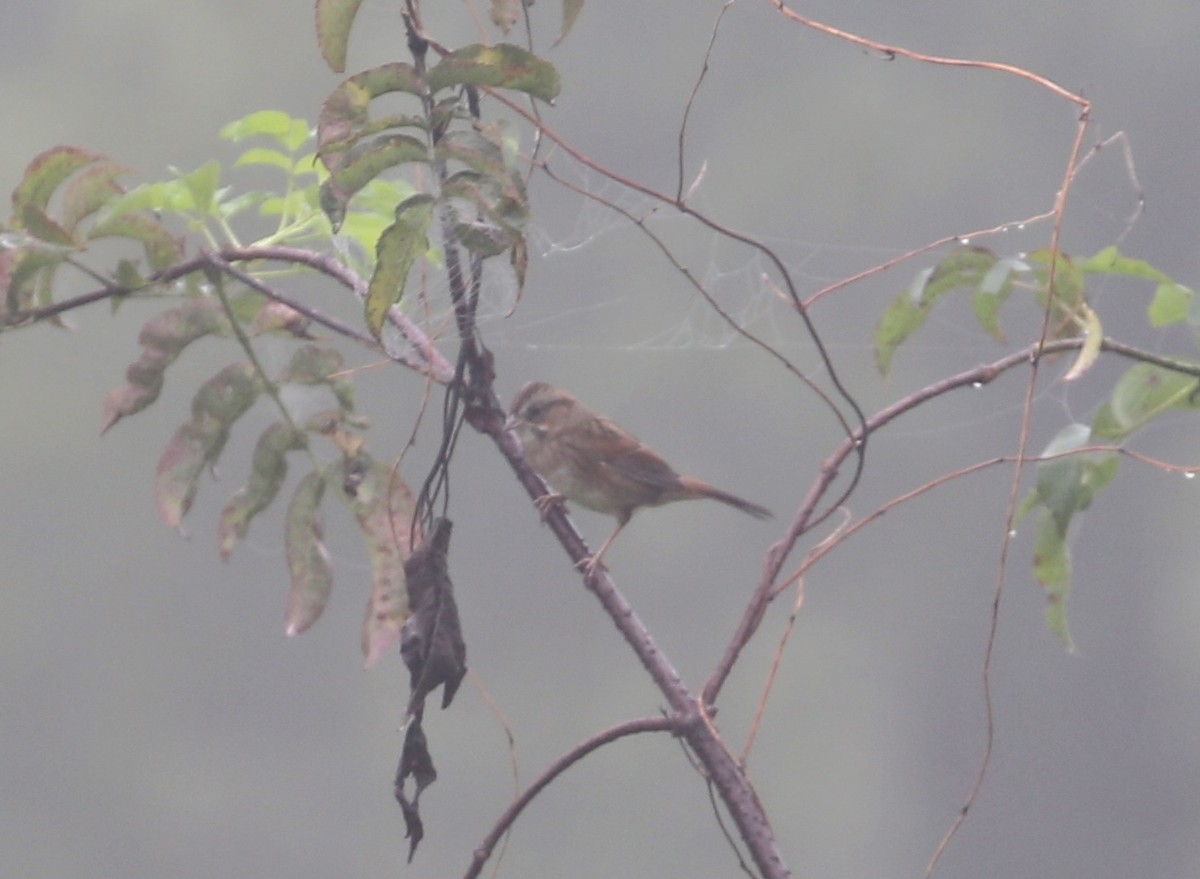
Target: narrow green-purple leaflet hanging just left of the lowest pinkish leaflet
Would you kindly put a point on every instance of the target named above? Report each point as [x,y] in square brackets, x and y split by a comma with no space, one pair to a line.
[313,577]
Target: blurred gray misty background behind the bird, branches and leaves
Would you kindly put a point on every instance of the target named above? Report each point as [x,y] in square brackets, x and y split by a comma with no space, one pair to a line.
[154,721]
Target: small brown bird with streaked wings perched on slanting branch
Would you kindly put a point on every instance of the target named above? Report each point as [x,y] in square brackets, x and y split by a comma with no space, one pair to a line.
[591,461]
